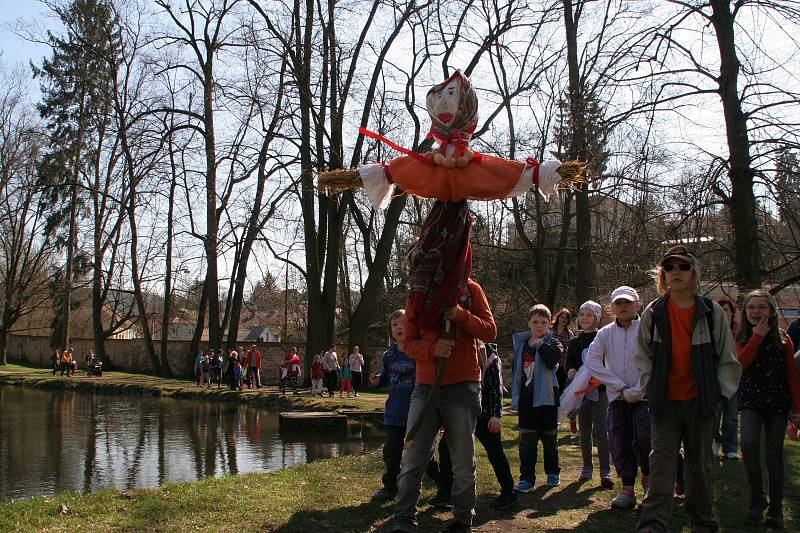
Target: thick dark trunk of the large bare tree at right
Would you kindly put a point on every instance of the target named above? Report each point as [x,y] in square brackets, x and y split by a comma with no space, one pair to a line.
[742,202]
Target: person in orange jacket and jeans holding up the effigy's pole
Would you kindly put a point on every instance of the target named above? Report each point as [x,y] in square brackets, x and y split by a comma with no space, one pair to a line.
[456,408]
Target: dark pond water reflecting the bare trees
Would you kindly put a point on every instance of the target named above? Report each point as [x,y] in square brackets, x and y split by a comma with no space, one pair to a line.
[54,440]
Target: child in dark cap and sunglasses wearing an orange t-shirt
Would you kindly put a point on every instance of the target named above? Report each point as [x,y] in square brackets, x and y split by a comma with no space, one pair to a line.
[687,360]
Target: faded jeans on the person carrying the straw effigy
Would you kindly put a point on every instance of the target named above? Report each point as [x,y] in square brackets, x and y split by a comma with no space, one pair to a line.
[456,409]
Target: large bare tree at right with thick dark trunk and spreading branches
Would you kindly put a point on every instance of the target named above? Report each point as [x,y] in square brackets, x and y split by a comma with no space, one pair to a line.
[740,75]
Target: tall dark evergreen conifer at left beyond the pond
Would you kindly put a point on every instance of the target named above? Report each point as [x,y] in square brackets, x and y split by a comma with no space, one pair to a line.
[76,84]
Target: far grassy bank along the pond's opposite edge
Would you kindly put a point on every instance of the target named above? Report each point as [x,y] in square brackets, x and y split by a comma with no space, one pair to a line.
[146,385]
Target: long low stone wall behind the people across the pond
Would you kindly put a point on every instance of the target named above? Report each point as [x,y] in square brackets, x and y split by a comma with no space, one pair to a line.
[129,355]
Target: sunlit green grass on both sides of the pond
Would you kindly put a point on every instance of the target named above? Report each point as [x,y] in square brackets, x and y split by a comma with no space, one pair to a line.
[334,495]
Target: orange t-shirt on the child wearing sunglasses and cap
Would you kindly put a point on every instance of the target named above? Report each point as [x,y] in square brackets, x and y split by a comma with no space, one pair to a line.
[681,384]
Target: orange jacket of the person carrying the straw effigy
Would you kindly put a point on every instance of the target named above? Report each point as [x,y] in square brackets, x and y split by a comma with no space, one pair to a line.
[476,323]
